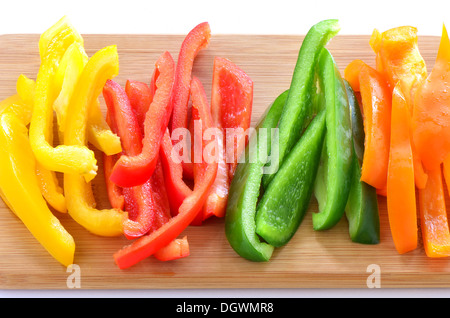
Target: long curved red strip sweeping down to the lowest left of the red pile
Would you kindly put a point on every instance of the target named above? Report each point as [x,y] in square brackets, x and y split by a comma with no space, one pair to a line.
[204,175]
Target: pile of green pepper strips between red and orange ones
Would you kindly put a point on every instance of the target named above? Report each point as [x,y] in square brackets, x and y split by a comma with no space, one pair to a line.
[320,149]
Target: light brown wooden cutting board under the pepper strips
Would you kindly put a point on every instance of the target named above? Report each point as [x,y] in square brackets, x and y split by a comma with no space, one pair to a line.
[311,259]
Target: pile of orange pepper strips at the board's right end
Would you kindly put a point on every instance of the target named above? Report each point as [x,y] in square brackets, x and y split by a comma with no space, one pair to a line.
[407,144]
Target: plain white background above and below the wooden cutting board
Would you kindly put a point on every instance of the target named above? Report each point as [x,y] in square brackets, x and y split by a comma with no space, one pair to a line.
[226,17]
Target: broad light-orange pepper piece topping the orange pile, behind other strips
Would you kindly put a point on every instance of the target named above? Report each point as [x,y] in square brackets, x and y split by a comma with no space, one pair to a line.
[399,60]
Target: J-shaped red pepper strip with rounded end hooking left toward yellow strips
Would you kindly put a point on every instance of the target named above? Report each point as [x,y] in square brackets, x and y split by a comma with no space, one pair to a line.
[135,169]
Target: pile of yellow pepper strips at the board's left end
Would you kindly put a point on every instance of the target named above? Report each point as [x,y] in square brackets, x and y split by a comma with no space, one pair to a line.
[68,84]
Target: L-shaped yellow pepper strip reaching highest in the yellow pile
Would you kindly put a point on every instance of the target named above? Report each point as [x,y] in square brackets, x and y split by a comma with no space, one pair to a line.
[62,158]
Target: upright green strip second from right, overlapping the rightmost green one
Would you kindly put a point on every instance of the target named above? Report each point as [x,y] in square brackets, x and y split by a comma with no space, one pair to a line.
[332,184]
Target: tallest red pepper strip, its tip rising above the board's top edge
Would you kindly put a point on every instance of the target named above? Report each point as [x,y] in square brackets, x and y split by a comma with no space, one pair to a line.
[196,40]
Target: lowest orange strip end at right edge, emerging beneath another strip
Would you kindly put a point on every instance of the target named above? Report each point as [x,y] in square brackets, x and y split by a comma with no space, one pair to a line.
[433,216]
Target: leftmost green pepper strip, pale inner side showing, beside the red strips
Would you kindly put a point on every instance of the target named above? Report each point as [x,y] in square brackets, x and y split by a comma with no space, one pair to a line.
[240,225]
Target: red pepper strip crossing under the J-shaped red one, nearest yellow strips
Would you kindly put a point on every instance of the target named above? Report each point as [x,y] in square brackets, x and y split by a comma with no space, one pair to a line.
[144,210]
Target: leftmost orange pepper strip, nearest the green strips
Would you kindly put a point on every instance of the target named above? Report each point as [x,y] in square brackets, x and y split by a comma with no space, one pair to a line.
[376,99]
